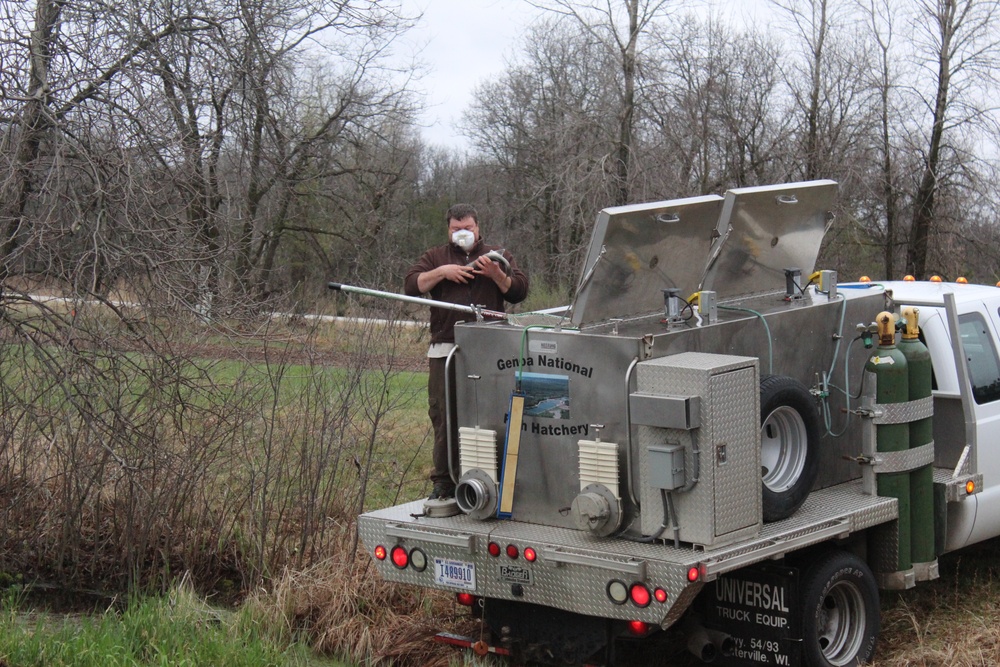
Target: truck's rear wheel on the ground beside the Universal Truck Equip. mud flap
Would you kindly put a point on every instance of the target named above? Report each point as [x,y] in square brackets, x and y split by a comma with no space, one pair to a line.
[840,609]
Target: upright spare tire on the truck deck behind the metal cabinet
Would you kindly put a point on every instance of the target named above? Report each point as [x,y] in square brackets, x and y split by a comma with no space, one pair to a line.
[789,442]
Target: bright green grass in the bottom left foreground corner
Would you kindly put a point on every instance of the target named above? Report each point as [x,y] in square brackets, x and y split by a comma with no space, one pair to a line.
[176,630]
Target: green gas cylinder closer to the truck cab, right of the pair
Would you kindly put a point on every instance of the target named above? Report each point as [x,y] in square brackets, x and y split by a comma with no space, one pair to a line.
[918,361]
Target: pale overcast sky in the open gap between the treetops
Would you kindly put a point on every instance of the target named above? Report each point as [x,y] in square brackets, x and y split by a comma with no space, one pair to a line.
[465,43]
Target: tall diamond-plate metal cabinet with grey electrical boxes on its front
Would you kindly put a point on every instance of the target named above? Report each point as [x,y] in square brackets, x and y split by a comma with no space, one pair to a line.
[702,460]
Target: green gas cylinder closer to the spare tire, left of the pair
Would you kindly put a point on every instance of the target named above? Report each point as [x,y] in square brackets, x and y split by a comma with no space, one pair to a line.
[892,386]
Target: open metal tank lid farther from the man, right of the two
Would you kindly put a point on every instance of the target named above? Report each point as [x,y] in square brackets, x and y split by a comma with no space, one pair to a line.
[763,231]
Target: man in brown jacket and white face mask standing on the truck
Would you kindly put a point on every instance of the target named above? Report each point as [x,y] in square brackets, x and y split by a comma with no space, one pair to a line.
[457,272]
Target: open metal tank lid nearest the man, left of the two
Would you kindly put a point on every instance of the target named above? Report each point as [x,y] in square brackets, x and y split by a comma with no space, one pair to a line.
[636,251]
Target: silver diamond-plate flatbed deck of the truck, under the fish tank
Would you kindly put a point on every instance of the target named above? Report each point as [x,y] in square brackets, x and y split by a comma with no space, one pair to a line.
[574,568]
